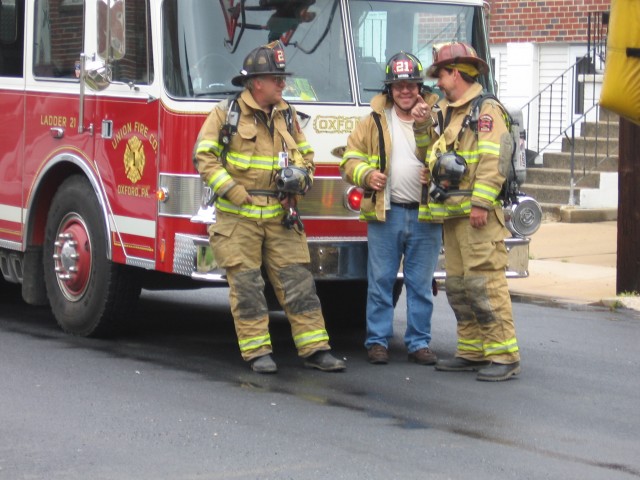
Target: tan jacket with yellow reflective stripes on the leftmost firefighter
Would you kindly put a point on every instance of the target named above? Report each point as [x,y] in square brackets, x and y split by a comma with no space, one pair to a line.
[252,157]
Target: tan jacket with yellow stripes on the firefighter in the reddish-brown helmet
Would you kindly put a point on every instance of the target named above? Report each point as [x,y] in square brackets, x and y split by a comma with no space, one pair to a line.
[487,154]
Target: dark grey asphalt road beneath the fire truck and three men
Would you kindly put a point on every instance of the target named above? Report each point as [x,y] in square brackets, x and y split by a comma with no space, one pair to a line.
[173,400]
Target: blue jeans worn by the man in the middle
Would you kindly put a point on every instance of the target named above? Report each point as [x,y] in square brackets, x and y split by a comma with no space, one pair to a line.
[419,243]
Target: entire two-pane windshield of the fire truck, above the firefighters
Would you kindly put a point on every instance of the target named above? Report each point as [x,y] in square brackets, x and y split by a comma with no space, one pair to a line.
[204,47]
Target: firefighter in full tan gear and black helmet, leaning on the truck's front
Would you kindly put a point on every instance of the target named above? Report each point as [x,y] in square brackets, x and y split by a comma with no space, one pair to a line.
[243,147]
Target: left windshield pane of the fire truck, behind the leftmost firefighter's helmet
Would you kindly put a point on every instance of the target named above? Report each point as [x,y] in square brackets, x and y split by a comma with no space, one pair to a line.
[205,47]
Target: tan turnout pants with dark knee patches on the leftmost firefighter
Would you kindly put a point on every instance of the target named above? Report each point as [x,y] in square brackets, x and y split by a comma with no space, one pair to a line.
[242,246]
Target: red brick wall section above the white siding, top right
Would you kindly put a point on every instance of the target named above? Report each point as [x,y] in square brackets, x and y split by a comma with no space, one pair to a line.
[541,21]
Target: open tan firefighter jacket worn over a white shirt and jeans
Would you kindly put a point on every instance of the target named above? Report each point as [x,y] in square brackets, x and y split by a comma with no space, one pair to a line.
[362,157]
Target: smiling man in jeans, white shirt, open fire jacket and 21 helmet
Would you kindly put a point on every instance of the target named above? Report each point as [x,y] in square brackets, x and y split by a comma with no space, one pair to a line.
[381,157]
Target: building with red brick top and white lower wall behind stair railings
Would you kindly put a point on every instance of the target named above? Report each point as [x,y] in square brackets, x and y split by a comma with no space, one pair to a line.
[535,43]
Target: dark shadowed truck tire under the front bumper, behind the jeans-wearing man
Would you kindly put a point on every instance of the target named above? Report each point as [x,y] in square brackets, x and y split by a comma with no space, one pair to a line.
[344,303]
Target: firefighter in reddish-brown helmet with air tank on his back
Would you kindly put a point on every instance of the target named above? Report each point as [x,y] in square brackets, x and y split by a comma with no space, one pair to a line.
[468,168]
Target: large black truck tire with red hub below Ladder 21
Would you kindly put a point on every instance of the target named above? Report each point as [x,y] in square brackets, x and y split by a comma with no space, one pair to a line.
[89,295]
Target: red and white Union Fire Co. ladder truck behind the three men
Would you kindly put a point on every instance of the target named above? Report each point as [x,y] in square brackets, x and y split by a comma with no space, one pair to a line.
[100,105]
